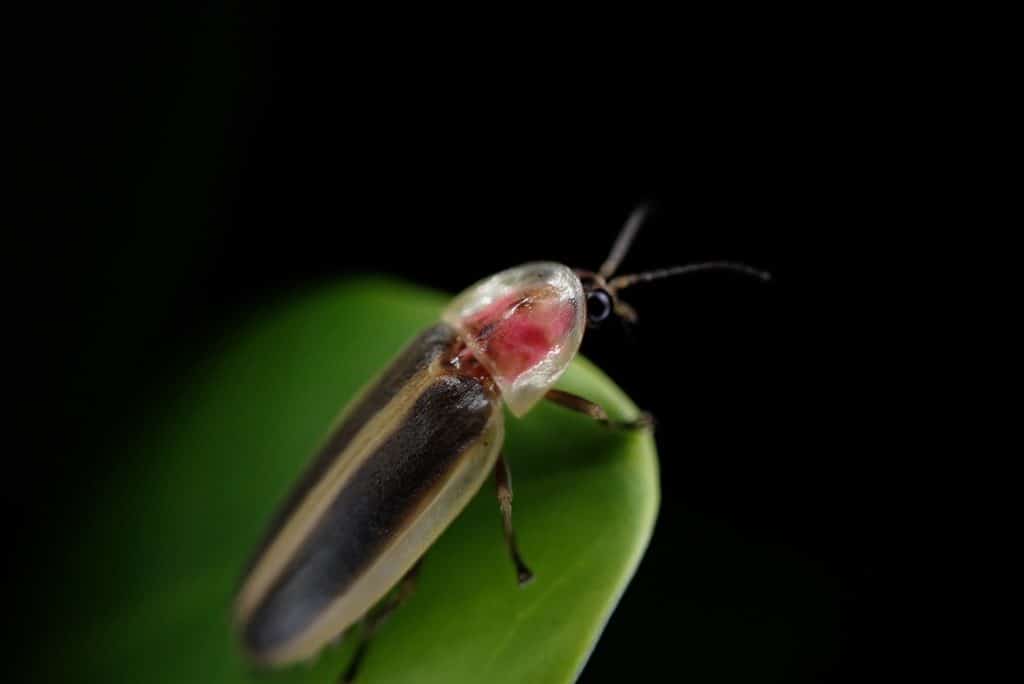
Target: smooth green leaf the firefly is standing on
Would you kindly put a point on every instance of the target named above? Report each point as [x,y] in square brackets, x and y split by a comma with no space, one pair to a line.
[158,563]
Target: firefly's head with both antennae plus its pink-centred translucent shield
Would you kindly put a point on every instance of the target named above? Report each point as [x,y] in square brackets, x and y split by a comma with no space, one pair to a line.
[525,325]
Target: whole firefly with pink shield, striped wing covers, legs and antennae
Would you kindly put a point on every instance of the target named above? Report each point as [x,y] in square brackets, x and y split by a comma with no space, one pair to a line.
[411,452]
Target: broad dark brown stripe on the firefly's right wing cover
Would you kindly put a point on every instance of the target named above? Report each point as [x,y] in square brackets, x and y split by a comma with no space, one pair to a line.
[373,507]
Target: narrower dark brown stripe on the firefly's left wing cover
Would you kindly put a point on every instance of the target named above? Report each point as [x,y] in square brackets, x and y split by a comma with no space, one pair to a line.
[417,358]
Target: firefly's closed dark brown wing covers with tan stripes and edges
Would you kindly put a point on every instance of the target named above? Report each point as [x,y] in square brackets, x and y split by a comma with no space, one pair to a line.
[400,466]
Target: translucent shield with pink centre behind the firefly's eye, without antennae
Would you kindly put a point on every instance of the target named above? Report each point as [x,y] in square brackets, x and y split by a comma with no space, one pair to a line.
[525,325]
